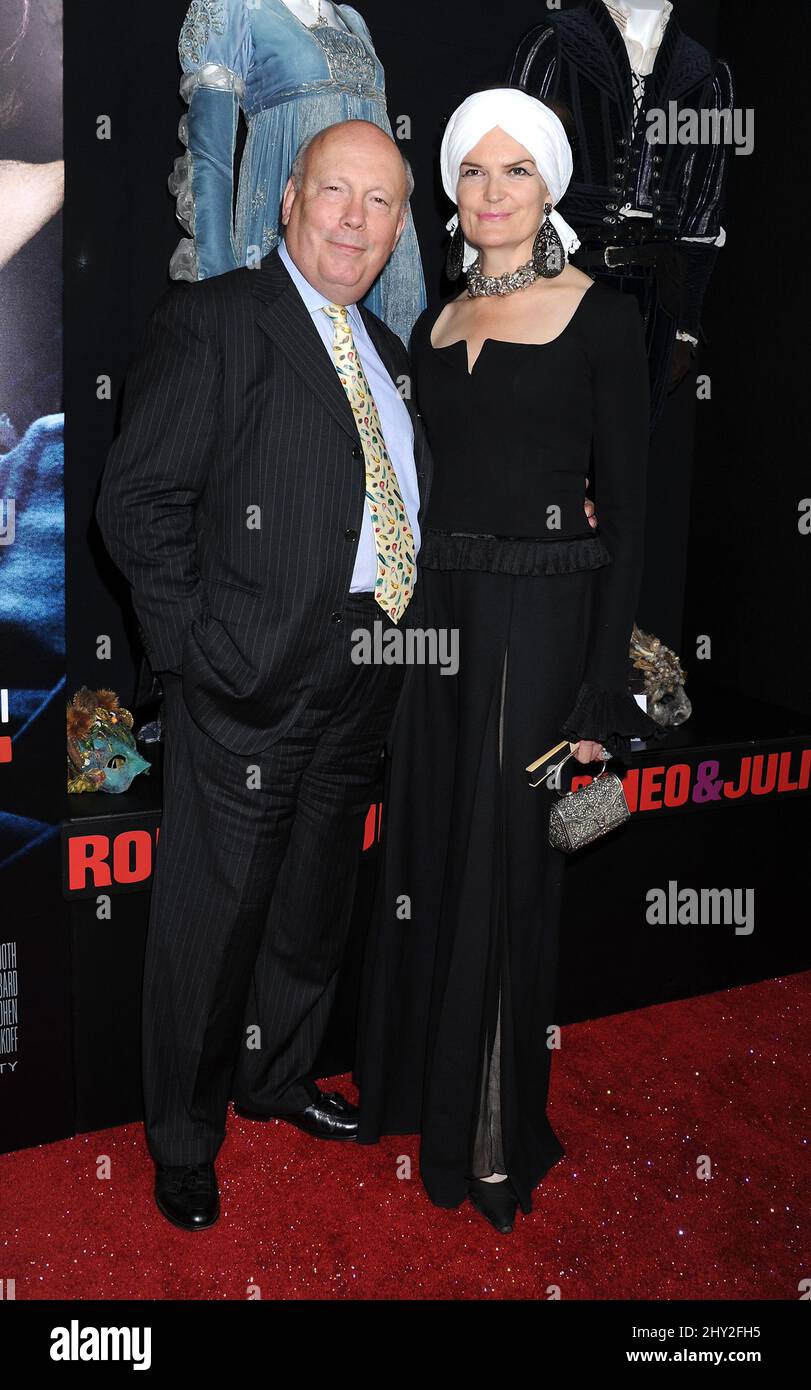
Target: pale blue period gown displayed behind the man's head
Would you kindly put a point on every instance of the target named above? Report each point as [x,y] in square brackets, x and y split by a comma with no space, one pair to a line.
[290,81]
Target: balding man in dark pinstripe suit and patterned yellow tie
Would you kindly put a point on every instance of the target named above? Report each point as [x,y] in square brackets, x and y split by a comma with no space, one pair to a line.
[234,501]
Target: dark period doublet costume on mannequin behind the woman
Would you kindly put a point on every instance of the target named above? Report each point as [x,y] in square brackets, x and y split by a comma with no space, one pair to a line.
[578,58]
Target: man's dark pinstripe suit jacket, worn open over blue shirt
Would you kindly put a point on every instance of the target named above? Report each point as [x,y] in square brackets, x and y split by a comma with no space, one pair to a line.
[233,497]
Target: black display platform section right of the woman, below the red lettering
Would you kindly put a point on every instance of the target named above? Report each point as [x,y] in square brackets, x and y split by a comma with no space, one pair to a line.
[691,835]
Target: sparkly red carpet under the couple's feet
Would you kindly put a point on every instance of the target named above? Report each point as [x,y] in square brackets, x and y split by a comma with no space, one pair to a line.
[636,1099]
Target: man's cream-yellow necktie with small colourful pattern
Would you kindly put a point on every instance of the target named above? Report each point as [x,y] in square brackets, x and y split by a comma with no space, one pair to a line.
[394,539]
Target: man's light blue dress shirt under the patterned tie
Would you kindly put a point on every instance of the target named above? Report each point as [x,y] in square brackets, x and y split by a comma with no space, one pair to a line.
[394,419]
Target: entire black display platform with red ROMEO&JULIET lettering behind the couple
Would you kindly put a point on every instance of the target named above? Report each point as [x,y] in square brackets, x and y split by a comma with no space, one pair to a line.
[689,831]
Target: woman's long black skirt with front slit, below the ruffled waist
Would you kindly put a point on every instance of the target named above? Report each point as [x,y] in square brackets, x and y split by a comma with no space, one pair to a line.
[457,1024]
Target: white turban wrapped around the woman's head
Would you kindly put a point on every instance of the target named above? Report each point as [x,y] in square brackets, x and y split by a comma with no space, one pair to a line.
[533,126]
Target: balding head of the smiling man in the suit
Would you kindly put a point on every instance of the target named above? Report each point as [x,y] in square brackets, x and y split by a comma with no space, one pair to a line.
[346,206]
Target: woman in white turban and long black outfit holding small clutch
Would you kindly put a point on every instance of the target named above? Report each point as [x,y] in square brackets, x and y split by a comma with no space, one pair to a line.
[528,384]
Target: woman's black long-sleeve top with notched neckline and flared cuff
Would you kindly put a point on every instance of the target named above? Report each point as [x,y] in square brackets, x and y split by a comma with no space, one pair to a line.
[513,445]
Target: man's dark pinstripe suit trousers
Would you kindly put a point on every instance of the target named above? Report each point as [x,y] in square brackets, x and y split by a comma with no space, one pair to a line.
[251,904]
